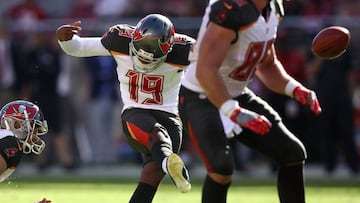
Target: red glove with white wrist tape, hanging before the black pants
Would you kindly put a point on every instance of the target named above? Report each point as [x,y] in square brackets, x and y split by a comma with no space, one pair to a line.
[248,119]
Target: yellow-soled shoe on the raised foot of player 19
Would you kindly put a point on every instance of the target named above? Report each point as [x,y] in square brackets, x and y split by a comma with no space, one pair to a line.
[178,173]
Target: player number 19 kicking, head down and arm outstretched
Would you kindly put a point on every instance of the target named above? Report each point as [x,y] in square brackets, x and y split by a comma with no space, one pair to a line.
[151,59]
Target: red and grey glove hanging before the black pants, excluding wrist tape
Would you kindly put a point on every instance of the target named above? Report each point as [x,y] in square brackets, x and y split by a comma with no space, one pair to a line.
[251,120]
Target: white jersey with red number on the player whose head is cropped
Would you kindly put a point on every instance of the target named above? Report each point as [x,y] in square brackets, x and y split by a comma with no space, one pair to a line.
[255,35]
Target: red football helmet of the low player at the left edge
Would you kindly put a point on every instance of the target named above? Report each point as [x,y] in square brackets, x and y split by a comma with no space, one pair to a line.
[26,121]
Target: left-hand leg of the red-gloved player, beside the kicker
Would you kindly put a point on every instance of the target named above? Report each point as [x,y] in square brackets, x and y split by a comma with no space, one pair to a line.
[202,122]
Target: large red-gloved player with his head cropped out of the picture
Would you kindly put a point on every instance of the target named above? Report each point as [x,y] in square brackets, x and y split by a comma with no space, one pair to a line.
[236,42]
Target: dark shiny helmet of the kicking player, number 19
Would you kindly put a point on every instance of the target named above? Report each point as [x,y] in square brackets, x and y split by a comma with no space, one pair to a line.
[151,41]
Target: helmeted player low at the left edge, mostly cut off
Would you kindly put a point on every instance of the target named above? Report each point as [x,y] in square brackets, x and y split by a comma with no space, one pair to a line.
[21,125]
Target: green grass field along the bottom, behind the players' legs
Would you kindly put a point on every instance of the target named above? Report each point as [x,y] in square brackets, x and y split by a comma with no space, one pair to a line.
[97,190]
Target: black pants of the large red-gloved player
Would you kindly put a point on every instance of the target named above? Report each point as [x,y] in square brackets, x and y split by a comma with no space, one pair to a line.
[202,122]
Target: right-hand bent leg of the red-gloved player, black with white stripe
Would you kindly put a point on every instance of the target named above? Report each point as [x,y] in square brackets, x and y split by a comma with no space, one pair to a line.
[281,146]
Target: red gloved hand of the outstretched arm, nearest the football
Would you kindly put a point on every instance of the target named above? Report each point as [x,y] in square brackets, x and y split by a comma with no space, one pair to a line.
[307,97]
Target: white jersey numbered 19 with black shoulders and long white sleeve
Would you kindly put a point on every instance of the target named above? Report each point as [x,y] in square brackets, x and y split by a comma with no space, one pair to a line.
[154,90]
